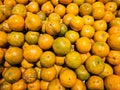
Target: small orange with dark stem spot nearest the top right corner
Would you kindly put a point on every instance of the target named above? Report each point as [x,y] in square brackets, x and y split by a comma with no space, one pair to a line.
[111,6]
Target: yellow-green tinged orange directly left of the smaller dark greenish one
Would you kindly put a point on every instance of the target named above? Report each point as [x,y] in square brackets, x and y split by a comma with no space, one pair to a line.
[15,38]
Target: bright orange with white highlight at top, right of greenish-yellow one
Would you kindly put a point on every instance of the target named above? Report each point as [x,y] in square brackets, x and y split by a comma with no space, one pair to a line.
[32,7]
